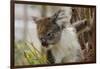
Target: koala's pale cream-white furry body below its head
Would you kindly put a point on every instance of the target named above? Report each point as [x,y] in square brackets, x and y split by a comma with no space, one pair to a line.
[68,49]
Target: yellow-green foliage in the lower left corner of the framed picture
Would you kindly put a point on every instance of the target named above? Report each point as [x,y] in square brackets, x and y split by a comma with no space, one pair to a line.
[27,54]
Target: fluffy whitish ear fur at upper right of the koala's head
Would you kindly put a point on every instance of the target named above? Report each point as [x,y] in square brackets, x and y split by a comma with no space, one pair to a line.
[65,16]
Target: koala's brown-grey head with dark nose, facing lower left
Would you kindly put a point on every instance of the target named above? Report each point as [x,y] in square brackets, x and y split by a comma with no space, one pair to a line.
[48,30]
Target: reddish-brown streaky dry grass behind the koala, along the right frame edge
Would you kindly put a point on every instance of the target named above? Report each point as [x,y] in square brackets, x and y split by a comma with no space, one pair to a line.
[88,38]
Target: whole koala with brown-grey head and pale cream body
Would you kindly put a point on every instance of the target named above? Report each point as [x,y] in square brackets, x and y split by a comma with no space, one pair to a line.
[59,38]
